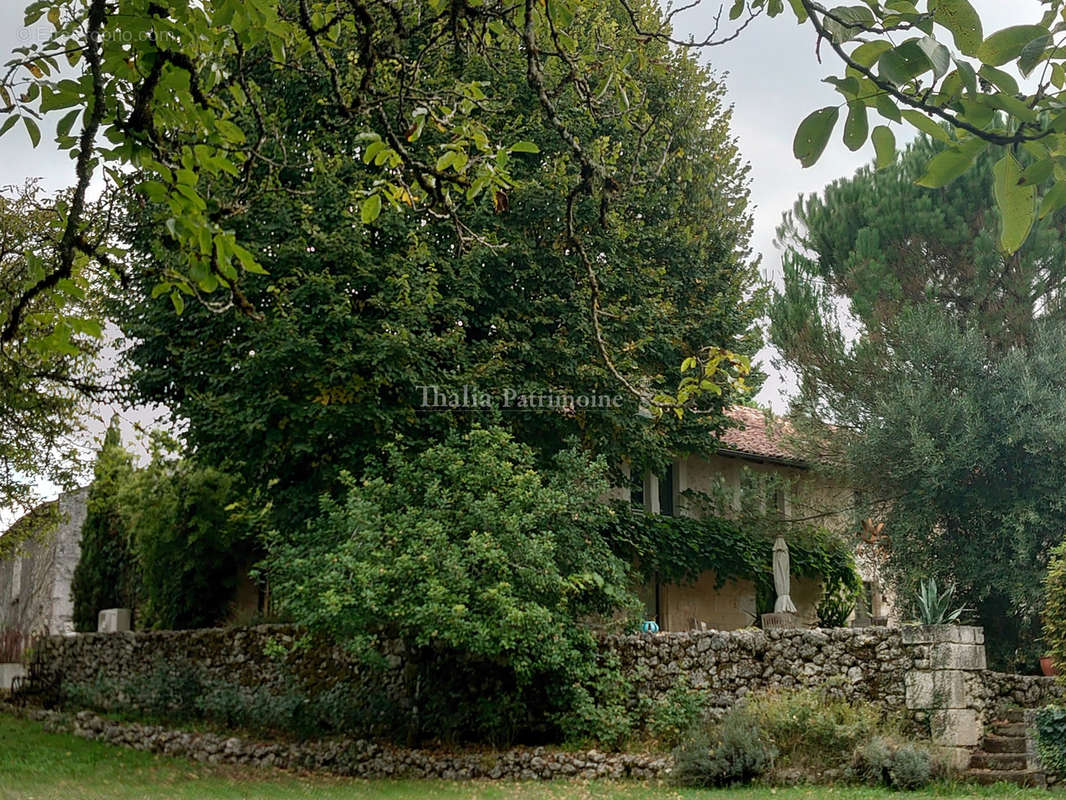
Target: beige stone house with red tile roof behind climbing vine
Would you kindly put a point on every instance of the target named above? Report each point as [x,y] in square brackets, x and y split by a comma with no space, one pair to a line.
[760,446]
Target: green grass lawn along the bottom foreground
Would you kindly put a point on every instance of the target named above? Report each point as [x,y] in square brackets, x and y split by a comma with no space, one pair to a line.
[45,766]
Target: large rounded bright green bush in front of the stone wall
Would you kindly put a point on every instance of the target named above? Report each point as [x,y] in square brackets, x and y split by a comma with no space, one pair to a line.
[470,554]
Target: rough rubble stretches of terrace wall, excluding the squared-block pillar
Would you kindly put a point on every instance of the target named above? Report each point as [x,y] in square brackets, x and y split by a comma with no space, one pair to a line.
[870,664]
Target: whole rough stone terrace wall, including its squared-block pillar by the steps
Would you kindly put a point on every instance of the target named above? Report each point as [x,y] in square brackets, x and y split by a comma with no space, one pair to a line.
[936,675]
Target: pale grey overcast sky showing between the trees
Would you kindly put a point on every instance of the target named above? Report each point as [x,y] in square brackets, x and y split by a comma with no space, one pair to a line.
[773,81]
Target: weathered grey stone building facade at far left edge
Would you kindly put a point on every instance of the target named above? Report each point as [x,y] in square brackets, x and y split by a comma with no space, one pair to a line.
[36,588]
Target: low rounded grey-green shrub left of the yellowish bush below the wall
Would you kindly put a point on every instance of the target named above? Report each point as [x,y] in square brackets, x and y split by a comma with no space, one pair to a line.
[734,751]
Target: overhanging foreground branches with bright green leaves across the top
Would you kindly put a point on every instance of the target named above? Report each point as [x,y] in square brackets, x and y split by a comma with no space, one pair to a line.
[172,90]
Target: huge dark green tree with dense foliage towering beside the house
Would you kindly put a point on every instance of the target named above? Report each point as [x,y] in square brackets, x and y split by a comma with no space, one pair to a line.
[358,319]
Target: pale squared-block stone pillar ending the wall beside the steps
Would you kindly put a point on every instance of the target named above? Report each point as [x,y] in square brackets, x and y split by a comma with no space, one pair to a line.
[939,686]
